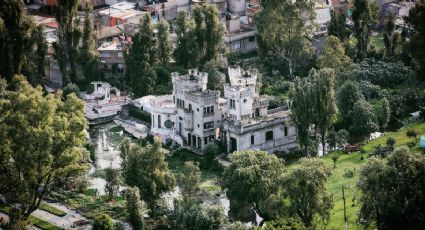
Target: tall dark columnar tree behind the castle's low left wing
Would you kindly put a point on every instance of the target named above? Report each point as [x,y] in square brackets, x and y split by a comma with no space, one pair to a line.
[141,59]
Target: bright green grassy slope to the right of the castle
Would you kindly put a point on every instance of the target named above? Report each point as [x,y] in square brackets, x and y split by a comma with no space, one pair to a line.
[353,162]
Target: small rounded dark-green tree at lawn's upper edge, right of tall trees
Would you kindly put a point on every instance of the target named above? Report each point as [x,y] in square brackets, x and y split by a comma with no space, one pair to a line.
[363,119]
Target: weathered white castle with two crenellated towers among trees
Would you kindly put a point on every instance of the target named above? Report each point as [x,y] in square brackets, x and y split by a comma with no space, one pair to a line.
[195,116]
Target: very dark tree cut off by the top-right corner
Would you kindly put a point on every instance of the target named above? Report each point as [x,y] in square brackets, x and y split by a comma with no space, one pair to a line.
[416,43]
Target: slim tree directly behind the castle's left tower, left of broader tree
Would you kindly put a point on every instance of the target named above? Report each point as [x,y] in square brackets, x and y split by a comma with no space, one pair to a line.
[185,44]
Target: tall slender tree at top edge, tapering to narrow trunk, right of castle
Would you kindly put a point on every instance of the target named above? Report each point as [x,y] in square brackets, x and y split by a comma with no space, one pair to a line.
[364,15]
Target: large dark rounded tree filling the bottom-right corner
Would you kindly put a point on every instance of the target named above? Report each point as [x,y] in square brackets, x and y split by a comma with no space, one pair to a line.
[392,191]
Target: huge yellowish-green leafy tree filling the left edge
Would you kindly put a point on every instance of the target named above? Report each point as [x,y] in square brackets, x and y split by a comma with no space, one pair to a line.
[41,140]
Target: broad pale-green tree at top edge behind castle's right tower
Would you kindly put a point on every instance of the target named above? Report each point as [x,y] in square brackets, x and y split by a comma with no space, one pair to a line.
[283,32]
